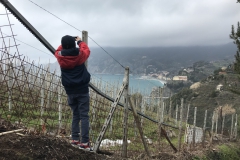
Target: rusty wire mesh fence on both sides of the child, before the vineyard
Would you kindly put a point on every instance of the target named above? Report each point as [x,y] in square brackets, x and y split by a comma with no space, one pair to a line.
[33,97]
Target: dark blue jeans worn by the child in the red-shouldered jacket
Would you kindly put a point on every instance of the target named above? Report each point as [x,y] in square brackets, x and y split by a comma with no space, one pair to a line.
[79,104]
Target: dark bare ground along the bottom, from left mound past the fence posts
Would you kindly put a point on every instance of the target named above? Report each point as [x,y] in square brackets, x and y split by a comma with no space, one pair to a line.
[33,147]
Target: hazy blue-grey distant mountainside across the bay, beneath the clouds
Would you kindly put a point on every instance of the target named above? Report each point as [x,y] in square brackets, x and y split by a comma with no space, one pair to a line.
[155,59]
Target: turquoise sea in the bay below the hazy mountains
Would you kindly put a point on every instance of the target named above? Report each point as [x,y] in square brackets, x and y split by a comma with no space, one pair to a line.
[137,83]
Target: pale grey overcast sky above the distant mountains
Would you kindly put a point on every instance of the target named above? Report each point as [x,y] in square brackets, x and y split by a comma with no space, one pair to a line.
[121,23]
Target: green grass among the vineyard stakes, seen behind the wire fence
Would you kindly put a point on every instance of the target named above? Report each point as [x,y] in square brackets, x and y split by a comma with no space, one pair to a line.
[26,107]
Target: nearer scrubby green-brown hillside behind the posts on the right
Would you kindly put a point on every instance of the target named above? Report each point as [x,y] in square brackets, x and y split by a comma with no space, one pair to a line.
[205,96]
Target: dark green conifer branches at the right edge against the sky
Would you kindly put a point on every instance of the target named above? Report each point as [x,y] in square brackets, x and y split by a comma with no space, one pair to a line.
[235,35]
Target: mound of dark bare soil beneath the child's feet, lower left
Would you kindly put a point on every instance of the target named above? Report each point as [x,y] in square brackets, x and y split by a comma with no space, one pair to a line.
[33,146]
